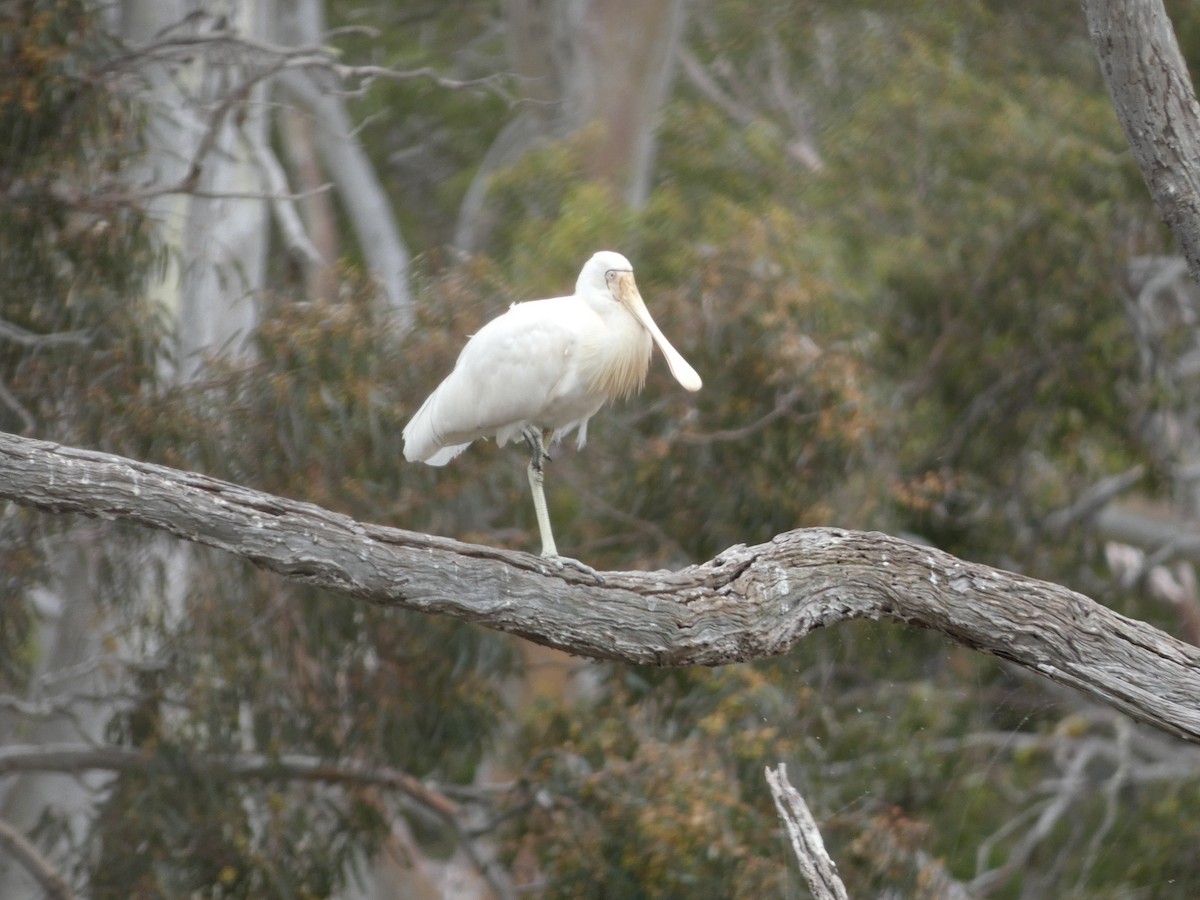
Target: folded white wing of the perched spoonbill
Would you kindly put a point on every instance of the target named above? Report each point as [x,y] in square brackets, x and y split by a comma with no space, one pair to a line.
[505,377]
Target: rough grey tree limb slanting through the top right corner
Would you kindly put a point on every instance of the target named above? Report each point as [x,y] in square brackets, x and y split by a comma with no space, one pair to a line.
[1157,106]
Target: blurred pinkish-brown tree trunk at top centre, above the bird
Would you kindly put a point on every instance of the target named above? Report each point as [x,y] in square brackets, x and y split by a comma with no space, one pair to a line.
[602,69]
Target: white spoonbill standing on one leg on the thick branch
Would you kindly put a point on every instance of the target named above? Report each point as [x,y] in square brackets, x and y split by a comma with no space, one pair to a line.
[542,370]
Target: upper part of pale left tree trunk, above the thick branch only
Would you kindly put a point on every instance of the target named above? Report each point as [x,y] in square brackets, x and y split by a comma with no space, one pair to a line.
[218,242]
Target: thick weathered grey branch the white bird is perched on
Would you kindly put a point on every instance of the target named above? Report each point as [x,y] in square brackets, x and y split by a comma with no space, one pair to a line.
[748,603]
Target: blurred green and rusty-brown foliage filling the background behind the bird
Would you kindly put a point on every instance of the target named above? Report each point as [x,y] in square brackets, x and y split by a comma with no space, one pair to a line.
[915,320]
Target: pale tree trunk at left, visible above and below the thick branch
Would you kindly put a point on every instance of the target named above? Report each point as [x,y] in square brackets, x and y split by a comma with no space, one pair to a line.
[215,251]
